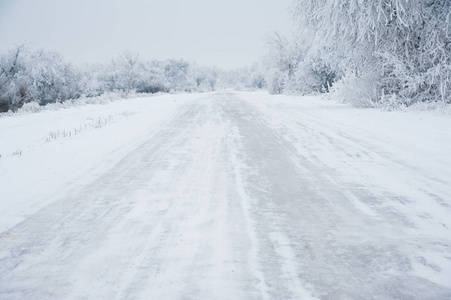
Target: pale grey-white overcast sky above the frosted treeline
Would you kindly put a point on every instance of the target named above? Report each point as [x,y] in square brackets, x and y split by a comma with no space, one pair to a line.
[226,33]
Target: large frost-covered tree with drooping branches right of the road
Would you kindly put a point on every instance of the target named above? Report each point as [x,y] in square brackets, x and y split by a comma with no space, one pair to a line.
[404,45]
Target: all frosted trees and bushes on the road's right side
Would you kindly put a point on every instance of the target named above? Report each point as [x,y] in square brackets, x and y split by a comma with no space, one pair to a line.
[391,53]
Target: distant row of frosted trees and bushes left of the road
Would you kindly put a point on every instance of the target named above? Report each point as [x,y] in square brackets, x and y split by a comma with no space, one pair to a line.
[44,77]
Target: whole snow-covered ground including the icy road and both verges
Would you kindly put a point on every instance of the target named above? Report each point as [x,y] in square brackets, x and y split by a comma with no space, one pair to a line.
[225,196]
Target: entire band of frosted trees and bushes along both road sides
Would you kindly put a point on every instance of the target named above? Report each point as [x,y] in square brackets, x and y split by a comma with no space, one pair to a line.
[386,54]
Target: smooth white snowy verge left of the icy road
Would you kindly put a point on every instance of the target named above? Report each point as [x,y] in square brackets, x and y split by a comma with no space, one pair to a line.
[50,162]
